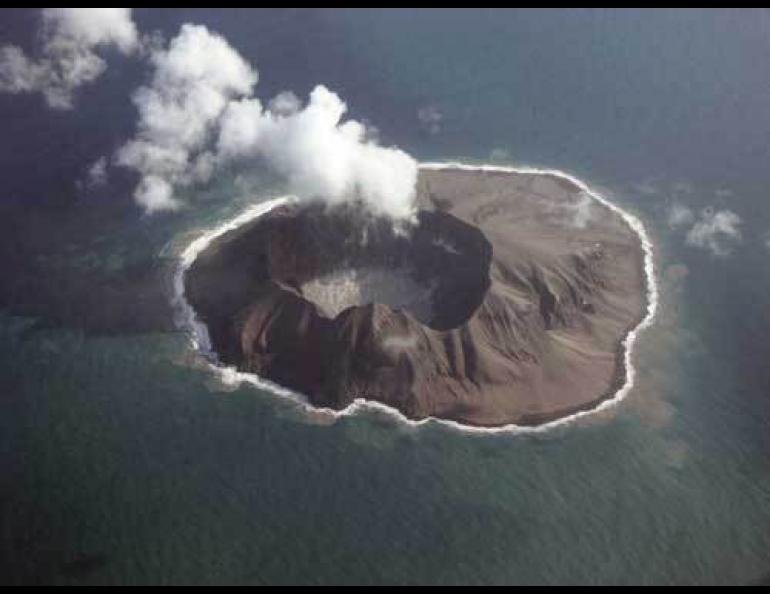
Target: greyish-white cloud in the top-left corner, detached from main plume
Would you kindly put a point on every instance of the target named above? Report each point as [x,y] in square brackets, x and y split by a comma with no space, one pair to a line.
[68,58]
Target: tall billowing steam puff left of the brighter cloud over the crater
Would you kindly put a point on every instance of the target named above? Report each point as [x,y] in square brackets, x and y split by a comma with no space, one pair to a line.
[194,80]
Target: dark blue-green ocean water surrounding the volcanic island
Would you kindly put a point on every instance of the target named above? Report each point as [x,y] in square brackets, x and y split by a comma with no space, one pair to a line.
[126,461]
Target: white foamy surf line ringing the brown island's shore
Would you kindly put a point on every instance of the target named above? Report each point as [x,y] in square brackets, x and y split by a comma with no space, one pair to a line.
[185,316]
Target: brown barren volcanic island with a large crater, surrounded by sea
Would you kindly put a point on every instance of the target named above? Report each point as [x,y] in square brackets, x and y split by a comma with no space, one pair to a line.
[507,301]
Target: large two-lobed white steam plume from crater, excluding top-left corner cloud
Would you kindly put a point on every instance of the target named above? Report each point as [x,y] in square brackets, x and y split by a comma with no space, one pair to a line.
[199,112]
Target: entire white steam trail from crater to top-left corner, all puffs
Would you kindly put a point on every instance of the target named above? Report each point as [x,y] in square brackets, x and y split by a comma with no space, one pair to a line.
[198,112]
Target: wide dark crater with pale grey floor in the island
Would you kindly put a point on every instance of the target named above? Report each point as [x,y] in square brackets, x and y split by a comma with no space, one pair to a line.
[436,271]
